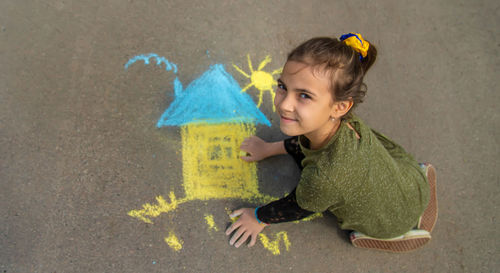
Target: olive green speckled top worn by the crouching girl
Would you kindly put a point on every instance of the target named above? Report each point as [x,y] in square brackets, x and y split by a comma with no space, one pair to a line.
[371,184]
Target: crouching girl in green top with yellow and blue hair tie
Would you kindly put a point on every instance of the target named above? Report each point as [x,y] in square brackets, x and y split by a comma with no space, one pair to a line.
[376,190]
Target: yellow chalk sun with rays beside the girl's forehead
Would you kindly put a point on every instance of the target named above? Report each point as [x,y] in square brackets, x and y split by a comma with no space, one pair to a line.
[261,80]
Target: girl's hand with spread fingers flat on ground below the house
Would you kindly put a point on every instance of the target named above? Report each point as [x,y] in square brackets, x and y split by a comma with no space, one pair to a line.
[246,226]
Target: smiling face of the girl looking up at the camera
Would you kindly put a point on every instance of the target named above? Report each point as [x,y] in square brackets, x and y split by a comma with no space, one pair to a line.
[304,102]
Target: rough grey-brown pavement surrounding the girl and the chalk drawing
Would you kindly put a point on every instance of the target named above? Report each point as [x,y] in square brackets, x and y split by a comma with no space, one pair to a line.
[80,147]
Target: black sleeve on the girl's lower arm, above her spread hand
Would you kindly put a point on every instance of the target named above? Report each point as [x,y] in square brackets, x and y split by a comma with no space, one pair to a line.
[283,210]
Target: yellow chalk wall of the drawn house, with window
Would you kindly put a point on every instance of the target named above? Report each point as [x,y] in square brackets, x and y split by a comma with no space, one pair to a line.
[212,168]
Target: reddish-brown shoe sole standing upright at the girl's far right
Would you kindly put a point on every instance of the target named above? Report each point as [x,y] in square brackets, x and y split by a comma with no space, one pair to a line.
[429,217]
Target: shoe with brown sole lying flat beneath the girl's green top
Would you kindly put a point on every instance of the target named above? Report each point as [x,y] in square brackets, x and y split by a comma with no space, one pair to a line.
[411,240]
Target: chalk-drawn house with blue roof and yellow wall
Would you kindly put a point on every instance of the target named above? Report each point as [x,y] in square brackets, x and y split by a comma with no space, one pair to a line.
[215,117]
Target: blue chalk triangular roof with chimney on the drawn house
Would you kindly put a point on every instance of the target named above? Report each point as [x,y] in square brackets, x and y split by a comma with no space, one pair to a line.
[214,97]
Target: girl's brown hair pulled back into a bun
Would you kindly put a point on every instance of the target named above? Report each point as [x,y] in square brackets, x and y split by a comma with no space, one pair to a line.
[342,64]
